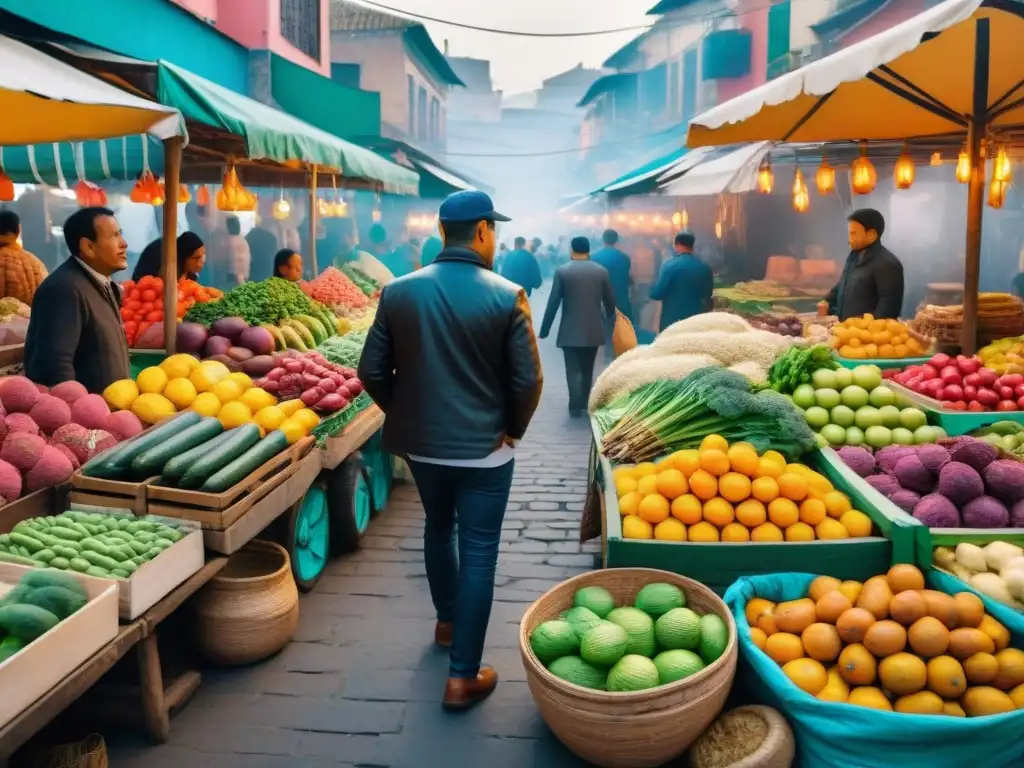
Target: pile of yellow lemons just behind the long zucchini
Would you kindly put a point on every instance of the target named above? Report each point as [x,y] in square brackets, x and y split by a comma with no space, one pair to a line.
[182,382]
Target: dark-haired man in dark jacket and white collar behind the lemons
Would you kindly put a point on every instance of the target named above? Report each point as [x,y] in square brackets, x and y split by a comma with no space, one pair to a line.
[76,335]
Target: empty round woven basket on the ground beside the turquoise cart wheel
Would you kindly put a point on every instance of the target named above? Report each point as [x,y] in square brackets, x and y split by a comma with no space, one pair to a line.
[251,609]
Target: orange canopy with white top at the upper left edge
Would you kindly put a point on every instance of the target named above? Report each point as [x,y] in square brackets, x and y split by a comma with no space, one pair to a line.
[44,100]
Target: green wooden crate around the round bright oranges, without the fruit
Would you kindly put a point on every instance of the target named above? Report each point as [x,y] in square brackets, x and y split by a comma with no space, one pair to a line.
[719,565]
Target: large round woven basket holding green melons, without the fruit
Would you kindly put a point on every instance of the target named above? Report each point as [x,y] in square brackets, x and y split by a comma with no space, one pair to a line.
[641,730]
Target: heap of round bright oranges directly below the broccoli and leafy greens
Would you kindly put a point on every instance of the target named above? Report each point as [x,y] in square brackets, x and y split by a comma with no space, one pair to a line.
[730,494]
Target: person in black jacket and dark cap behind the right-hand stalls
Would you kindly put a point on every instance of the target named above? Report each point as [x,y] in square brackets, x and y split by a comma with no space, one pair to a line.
[873,278]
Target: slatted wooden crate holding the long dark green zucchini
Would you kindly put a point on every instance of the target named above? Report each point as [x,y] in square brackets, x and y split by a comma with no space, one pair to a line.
[221,511]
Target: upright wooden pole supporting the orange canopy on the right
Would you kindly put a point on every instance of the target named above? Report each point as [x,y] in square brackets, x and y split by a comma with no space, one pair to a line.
[976,189]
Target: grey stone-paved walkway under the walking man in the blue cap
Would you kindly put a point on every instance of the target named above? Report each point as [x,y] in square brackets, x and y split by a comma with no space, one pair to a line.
[361,685]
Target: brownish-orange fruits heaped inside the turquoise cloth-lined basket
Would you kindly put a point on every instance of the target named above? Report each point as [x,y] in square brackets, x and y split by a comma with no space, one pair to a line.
[891,645]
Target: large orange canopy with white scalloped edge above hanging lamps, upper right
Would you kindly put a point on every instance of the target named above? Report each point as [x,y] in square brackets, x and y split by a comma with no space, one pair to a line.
[916,79]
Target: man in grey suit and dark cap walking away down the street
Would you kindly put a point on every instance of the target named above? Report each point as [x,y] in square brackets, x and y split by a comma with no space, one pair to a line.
[581,288]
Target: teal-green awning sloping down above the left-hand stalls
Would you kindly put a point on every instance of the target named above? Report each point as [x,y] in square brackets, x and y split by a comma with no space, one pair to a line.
[272,135]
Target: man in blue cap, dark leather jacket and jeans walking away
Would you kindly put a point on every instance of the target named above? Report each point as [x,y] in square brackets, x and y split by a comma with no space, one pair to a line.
[452,361]
